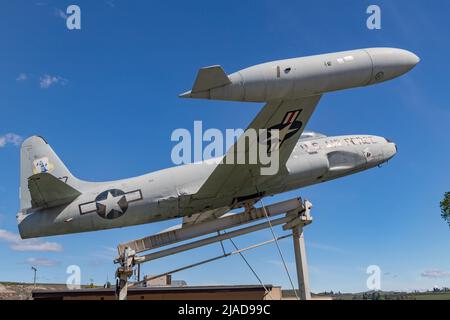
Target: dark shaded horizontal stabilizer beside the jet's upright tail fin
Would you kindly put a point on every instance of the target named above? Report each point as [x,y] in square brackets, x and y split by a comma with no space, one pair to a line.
[48,191]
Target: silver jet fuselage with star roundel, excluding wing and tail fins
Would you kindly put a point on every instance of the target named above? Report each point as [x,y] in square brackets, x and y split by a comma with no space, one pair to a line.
[167,193]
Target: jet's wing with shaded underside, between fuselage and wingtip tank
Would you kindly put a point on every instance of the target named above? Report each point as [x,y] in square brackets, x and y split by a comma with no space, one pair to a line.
[290,118]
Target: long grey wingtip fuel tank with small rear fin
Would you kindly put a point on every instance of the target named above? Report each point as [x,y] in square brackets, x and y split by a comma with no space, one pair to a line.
[301,77]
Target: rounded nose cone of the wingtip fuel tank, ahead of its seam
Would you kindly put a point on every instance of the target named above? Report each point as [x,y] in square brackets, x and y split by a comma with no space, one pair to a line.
[389,63]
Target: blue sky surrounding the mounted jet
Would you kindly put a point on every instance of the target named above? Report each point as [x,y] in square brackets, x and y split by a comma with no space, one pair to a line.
[105,97]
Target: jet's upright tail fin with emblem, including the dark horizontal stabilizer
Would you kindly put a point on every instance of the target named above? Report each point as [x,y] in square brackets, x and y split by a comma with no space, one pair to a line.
[44,179]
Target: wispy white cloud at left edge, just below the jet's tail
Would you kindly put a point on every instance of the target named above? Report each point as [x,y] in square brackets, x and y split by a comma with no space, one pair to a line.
[17,244]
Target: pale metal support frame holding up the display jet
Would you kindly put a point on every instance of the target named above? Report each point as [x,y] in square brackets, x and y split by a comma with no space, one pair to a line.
[296,216]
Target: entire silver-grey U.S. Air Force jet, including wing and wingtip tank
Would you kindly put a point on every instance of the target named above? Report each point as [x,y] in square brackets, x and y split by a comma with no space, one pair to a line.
[53,201]
